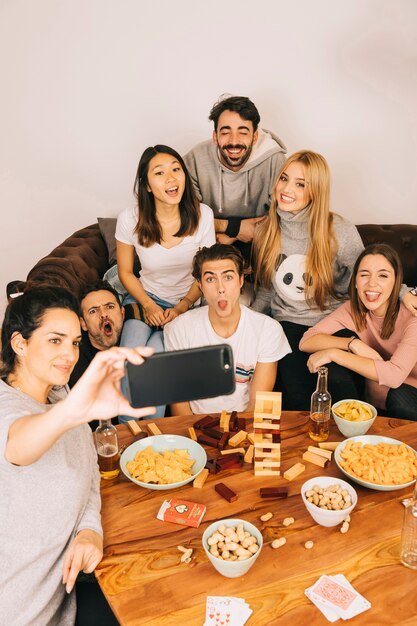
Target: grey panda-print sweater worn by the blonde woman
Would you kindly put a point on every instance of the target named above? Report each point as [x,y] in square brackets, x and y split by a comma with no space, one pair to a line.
[285,300]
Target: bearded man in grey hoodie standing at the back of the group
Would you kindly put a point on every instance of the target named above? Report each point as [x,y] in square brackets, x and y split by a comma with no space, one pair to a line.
[235,172]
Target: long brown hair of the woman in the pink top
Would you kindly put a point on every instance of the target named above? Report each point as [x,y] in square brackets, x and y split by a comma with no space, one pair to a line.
[358,309]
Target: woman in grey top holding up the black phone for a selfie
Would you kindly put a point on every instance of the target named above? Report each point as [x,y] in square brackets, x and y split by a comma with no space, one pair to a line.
[50,512]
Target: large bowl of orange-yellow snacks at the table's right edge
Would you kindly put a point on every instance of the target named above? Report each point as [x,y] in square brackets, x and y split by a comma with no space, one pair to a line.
[380,463]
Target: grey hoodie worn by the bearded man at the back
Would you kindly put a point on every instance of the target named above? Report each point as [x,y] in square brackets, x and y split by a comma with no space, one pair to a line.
[245,193]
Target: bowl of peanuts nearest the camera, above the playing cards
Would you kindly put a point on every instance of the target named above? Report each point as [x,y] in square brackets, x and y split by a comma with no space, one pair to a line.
[232,546]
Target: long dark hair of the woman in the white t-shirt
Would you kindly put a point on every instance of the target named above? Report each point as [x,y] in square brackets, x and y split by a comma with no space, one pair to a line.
[148,228]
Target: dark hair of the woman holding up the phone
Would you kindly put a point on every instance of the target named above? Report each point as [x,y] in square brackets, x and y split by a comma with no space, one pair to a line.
[24,315]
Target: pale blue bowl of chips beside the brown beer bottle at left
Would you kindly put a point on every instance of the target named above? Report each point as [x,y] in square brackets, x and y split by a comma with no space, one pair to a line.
[163,461]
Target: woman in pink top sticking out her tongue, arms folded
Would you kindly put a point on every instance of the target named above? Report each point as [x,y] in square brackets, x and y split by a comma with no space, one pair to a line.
[382,346]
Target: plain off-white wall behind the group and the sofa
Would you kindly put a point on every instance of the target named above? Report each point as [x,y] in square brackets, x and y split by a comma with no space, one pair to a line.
[86,85]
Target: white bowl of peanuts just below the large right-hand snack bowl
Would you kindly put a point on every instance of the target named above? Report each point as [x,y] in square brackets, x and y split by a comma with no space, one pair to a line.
[328,500]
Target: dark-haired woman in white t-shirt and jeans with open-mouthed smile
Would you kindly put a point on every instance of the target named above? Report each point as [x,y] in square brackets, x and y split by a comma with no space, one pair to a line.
[166,229]
